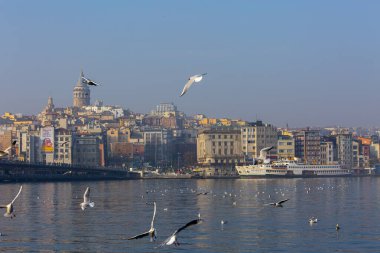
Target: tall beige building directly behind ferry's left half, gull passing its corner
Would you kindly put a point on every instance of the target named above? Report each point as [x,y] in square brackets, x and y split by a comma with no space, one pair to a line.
[257,136]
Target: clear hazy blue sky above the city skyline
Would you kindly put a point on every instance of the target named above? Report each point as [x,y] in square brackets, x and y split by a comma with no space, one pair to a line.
[301,63]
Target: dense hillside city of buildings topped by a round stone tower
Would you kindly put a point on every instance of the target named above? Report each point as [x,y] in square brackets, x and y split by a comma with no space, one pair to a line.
[167,139]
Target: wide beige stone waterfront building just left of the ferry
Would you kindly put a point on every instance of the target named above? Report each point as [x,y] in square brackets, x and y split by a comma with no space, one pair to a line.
[219,146]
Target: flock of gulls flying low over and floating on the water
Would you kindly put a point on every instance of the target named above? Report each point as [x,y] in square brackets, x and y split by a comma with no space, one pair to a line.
[151,232]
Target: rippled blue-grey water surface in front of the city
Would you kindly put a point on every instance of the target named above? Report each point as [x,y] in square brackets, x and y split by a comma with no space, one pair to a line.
[49,217]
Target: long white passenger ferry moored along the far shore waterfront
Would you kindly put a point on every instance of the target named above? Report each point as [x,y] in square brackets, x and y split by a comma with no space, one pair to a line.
[291,169]
